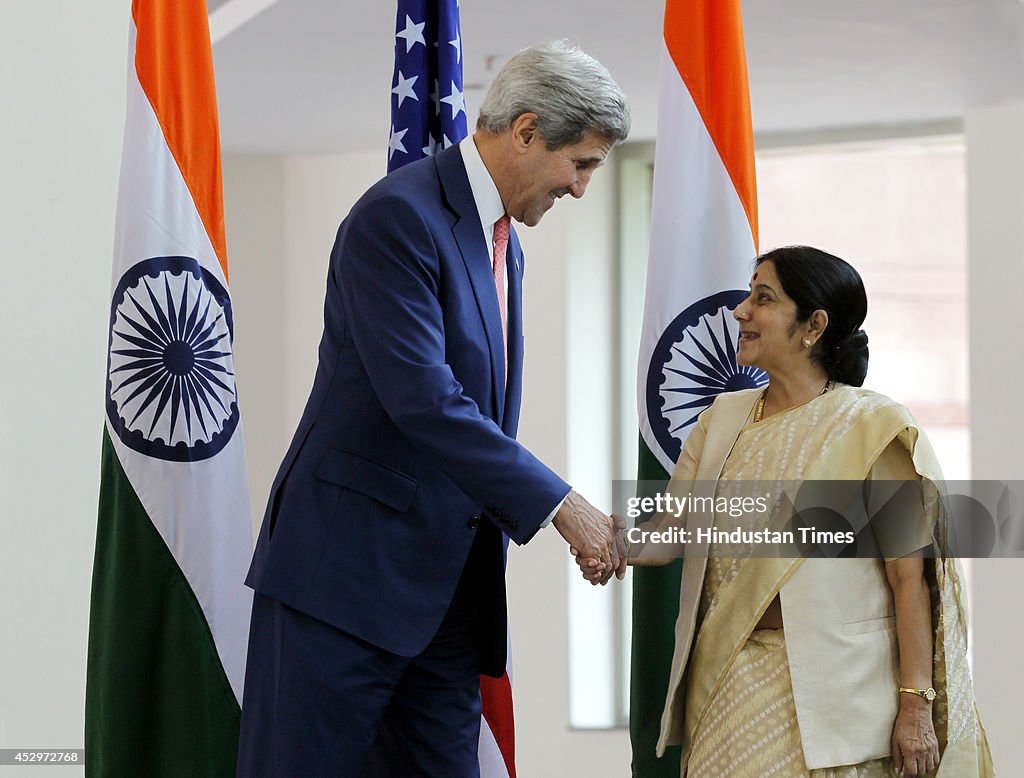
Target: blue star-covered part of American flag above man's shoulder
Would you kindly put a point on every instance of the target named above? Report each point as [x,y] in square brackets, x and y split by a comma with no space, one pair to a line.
[429,109]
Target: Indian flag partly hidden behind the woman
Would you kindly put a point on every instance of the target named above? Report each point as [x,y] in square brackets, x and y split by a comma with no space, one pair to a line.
[703,241]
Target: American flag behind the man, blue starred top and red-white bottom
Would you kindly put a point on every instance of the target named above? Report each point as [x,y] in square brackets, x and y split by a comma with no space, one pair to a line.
[429,114]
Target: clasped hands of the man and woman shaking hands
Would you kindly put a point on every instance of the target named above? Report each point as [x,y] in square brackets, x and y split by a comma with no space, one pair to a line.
[598,541]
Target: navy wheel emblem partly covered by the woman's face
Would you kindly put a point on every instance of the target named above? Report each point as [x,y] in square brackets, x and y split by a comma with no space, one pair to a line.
[694,362]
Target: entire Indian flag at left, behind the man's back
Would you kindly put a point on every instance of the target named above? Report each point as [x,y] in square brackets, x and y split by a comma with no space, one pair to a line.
[169,616]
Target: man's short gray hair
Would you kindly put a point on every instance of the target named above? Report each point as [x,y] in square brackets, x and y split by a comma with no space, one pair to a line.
[570,92]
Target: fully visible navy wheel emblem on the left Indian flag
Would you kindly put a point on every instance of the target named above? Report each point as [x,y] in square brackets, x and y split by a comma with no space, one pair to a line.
[170,379]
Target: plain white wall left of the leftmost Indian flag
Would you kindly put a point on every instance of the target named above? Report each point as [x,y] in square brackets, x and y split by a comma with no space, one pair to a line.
[63,89]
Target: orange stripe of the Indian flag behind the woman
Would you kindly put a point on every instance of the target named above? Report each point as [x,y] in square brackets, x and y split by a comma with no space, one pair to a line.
[705,39]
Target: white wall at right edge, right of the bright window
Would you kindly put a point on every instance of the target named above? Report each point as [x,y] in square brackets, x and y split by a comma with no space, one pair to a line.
[996,212]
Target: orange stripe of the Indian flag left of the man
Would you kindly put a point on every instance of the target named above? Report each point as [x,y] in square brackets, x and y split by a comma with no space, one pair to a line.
[175,65]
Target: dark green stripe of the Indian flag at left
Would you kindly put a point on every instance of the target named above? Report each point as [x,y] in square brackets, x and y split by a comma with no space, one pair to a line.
[157,701]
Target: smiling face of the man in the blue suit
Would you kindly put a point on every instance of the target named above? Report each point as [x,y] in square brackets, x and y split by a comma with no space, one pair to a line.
[543,177]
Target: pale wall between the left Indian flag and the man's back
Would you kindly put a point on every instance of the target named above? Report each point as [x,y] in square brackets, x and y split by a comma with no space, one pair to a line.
[282,215]
